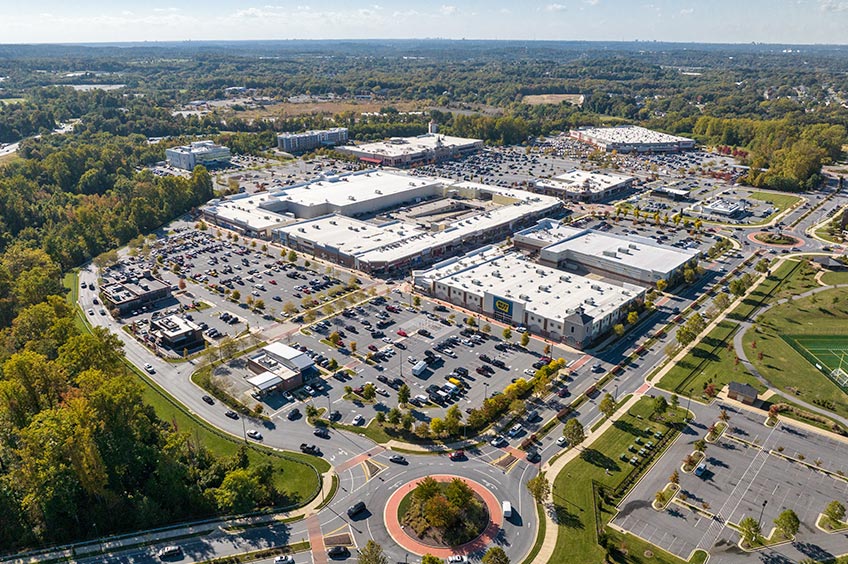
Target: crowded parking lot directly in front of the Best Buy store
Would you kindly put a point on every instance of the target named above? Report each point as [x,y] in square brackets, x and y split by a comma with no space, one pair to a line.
[420,347]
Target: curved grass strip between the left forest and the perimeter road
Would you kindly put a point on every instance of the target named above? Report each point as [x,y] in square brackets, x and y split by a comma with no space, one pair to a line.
[295,475]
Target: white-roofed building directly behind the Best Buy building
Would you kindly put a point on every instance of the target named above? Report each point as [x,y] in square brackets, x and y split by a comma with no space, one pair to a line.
[634,259]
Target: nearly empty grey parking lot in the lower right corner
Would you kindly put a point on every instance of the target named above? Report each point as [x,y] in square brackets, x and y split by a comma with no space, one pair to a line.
[745,476]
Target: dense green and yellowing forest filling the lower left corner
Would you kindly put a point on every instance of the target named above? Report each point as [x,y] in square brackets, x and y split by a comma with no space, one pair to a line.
[80,453]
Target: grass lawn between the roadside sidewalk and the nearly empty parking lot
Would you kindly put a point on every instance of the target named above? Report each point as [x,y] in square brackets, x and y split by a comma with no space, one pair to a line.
[574,497]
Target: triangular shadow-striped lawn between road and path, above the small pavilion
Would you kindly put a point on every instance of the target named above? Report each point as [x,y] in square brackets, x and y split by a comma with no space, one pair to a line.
[709,361]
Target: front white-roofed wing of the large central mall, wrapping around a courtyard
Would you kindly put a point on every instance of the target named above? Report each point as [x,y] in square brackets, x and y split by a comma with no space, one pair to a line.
[467,215]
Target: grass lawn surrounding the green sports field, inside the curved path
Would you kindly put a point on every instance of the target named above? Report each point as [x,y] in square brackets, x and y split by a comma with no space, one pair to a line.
[825,313]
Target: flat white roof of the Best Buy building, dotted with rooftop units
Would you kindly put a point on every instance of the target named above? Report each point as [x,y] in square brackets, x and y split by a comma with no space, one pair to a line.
[544,291]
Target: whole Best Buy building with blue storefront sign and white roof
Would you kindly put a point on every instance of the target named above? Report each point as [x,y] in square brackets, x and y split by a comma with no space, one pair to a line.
[510,289]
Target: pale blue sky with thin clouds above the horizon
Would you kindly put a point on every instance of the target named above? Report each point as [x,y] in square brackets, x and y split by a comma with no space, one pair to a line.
[715,21]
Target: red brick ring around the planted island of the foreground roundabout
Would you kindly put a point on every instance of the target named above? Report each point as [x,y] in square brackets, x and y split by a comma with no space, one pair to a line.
[409,541]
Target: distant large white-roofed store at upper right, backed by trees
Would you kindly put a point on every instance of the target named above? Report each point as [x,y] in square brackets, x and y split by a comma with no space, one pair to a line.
[631,139]
